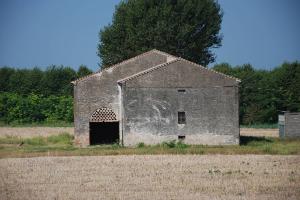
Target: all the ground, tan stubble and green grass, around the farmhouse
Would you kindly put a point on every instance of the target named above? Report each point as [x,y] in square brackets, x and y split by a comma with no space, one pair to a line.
[202,173]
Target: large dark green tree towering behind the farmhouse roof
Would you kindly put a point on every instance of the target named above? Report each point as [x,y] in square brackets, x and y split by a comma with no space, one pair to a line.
[185,28]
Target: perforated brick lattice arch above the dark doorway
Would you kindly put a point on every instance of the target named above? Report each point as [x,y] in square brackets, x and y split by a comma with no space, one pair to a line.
[103,115]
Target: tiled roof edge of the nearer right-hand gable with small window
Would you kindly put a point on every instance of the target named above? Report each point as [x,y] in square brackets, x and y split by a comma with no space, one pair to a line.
[166,64]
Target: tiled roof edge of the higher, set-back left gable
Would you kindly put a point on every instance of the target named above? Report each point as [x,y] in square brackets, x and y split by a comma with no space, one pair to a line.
[121,63]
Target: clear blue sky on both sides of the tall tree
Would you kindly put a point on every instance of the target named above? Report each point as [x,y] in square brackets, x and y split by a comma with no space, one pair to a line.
[264,33]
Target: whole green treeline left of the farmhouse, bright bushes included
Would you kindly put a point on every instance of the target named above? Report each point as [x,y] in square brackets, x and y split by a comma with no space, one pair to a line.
[35,95]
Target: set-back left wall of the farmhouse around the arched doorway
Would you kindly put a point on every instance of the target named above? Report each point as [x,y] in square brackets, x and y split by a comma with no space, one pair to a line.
[101,90]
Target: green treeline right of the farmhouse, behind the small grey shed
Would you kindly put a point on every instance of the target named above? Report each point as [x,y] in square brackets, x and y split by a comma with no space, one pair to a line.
[263,93]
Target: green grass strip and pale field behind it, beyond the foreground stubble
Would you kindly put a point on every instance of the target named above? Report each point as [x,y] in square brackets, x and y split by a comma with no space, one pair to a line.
[58,141]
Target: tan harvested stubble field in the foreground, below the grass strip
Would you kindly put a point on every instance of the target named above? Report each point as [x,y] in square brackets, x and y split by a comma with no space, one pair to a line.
[151,177]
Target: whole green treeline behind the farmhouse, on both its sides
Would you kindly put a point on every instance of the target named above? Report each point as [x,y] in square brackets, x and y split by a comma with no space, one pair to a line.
[34,95]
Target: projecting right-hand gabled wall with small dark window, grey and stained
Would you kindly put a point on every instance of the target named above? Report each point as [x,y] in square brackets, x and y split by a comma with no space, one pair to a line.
[151,103]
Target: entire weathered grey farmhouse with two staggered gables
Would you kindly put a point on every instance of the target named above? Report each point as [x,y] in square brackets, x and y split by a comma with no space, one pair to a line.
[156,97]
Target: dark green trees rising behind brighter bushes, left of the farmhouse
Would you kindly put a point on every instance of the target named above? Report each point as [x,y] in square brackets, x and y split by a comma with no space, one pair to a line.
[55,80]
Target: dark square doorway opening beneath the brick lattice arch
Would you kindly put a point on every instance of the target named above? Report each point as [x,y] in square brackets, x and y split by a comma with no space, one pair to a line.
[104,132]
